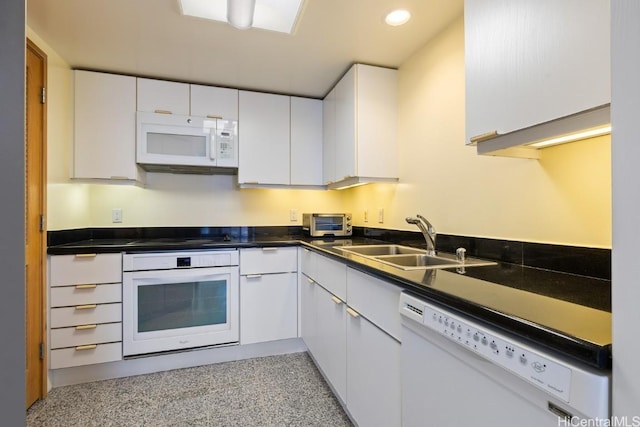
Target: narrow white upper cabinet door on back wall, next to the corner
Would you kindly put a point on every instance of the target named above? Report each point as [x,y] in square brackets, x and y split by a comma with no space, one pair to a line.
[306,141]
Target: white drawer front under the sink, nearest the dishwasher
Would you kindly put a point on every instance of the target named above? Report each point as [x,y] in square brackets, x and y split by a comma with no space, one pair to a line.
[376,300]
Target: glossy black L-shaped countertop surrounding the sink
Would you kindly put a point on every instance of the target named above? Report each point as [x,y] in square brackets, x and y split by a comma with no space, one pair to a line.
[566,313]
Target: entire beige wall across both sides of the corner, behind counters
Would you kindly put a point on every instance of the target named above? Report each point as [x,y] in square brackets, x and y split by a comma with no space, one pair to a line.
[563,198]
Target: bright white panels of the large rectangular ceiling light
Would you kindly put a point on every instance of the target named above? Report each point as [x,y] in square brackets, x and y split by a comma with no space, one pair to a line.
[273,15]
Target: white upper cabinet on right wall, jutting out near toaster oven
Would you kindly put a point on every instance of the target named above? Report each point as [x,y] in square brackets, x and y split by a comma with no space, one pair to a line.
[360,127]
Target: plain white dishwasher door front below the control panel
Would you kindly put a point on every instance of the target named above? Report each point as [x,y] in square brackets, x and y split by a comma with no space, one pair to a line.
[442,389]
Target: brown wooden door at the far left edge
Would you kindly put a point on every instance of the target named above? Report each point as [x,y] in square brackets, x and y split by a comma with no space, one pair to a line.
[35,179]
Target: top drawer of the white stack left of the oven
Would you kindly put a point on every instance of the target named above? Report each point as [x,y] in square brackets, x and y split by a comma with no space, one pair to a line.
[85,269]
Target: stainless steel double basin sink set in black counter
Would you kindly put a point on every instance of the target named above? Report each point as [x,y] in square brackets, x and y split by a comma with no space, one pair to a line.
[408,258]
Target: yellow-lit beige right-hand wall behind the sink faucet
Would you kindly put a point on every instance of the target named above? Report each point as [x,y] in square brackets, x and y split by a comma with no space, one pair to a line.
[563,198]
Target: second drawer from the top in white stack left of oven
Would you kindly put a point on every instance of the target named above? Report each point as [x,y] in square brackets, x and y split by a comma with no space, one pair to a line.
[64,296]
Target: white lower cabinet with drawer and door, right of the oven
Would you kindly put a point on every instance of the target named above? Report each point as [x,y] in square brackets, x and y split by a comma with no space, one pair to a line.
[268,294]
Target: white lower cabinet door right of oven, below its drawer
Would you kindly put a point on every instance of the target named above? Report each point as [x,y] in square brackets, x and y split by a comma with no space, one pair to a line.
[268,307]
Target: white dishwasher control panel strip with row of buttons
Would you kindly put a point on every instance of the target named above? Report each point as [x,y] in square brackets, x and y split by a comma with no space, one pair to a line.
[551,375]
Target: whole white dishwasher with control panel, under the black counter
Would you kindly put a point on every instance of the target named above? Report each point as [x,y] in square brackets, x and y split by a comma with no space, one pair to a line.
[459,372]
